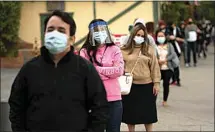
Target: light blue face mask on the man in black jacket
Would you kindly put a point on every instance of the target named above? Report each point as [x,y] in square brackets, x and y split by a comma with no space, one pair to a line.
[56,42]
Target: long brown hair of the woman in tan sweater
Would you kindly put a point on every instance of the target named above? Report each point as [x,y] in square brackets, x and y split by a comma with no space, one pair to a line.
[131,43]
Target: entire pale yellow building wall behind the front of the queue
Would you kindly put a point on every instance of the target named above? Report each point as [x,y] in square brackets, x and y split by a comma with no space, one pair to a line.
[83,14]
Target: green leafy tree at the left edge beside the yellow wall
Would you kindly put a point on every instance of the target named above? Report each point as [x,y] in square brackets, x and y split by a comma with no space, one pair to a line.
[10,13]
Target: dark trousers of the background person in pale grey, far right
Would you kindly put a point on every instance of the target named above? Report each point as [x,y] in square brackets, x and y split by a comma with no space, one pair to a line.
[191,47]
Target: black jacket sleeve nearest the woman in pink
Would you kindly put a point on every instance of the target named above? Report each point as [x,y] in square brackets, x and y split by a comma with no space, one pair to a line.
[97,102]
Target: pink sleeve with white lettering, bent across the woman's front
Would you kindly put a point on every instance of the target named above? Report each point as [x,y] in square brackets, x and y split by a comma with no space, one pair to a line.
[115,71]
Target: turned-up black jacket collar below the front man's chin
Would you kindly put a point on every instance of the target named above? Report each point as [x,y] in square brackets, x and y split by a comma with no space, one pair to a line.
[47,56]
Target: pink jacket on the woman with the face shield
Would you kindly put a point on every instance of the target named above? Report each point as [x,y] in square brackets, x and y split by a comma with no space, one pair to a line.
[112,67]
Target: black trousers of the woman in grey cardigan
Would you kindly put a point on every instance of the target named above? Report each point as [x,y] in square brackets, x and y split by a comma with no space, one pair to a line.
[166,76]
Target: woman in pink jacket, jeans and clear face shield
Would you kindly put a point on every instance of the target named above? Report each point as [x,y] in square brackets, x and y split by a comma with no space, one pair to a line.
[107,58]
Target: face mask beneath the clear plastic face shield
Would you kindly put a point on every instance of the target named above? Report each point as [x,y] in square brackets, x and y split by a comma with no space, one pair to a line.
[100,37]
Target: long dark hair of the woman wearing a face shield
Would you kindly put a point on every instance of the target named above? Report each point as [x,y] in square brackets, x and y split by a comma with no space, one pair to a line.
[93,49]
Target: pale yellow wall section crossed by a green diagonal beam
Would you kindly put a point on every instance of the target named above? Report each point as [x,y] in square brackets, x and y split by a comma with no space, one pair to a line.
[107,11]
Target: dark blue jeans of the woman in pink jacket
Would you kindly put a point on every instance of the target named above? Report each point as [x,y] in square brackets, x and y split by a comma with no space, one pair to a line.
[115,116]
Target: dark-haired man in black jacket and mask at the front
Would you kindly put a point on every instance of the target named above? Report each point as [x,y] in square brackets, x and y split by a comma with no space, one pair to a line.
[58,90]
